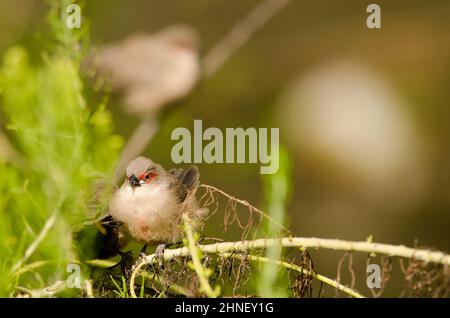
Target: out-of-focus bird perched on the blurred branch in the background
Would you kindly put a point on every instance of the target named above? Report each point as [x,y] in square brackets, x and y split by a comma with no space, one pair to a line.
[152,70]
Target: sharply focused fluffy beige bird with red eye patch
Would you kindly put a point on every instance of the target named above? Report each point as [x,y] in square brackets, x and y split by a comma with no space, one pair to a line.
[148,207]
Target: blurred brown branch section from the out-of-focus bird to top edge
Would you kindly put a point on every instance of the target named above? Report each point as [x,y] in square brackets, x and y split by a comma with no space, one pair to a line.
[240,34]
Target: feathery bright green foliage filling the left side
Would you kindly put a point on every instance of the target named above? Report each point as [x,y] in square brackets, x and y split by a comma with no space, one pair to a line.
[68,149]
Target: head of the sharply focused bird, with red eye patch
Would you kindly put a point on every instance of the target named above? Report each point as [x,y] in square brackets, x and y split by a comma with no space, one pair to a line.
[143,172]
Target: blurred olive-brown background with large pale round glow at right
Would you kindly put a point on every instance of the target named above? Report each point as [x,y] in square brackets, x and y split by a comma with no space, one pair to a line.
[363,113]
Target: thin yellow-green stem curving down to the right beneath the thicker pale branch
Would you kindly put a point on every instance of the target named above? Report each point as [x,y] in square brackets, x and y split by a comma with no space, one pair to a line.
[297,268]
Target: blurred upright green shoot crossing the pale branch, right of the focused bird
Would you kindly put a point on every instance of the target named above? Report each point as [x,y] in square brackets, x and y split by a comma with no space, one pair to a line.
[271,280]
